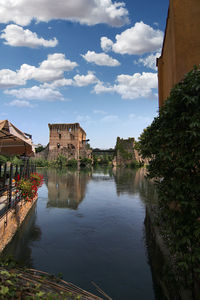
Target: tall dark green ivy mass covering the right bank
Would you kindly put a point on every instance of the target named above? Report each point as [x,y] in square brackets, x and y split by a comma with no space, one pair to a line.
[172,144]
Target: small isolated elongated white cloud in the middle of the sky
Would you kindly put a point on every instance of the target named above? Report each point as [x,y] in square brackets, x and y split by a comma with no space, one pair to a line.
[100,59]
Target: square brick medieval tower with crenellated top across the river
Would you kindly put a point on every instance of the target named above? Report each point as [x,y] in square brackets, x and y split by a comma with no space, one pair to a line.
[68,140]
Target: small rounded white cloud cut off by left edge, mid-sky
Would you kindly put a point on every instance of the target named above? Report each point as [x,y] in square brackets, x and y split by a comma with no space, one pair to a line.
[9,78]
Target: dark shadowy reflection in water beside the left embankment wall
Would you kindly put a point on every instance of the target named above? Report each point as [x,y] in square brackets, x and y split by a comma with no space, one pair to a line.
[20,247]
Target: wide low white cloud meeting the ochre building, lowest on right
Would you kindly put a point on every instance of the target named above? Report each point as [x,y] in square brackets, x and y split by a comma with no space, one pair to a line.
[131,86]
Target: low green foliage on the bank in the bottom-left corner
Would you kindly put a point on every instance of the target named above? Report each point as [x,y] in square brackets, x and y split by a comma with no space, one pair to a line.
[18,283]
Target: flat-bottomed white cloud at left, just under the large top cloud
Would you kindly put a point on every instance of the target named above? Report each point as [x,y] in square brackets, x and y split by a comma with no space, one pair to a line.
[16,36]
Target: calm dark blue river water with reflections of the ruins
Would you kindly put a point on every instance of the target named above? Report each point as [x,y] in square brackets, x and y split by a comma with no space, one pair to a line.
[89,226]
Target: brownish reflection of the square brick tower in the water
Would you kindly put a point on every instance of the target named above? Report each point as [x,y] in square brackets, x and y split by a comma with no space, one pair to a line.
[66,189]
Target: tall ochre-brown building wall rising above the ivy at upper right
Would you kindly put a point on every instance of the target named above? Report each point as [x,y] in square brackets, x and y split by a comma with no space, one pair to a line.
[181,46]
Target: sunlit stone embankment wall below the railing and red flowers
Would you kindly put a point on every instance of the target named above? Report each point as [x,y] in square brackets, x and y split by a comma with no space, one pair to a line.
[11,222]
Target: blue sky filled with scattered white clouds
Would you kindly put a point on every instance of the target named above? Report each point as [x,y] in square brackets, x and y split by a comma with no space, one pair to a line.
[85,61]
